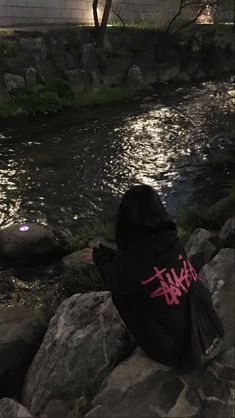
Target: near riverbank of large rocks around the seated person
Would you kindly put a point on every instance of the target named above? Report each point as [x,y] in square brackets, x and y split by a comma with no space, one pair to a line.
[87,364]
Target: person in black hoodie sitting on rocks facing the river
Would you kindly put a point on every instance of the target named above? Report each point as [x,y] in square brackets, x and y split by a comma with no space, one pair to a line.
[154,286]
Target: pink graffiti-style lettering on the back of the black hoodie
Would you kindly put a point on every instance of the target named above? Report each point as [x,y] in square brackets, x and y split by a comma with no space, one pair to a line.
[173,285]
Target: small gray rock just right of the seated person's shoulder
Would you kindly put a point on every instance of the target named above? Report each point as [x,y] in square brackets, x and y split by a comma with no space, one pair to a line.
[199,248]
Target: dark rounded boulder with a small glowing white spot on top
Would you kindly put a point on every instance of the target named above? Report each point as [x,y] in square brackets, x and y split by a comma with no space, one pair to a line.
[28,244]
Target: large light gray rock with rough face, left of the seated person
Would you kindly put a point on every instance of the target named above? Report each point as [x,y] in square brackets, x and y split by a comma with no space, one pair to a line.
[86,337]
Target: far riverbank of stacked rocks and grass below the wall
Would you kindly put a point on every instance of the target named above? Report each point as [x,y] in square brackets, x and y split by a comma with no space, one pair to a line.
[45,72]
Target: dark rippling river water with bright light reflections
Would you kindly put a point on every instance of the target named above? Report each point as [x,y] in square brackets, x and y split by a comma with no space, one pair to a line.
[70,168]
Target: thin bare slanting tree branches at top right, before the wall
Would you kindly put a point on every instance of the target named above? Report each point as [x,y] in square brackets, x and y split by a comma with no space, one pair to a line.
[198,5]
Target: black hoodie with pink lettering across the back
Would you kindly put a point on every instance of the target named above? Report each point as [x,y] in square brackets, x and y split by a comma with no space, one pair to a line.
[150,282]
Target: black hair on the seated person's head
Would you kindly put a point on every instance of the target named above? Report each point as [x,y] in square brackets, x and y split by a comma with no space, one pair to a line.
[140,211]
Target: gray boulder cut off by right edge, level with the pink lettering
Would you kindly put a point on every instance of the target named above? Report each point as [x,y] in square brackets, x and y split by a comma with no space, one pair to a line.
[218,276]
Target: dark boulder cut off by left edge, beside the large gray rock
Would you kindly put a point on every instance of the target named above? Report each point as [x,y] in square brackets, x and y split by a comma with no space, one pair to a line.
[21,332]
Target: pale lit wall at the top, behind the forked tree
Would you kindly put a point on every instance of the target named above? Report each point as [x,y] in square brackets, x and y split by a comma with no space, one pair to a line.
[39,12]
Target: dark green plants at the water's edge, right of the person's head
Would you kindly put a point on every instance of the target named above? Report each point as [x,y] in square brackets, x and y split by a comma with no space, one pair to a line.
[197,216]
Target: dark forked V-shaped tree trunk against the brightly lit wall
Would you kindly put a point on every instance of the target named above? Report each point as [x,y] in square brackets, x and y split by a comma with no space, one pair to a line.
[100,27]
